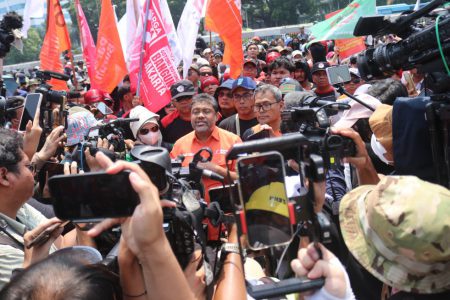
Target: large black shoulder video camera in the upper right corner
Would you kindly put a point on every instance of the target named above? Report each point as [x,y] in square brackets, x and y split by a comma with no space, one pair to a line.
[421,47]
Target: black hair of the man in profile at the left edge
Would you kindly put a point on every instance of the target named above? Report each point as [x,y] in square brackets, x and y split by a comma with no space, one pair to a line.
[11,145]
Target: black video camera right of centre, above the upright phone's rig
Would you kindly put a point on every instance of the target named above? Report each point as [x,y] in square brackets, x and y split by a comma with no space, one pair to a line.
[311,118]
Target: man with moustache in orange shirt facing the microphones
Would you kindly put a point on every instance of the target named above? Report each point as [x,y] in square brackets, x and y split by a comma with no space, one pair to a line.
[204,114]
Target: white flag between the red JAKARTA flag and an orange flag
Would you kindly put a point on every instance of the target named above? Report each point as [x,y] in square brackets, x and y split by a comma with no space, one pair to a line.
[188,29]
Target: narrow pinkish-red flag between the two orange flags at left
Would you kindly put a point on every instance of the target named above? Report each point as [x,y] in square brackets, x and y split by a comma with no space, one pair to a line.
[87,43]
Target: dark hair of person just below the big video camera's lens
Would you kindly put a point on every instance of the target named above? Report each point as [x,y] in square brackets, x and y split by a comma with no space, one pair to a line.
[387,90]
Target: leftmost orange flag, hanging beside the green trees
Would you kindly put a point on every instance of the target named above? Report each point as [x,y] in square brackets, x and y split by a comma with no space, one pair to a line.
[56,41]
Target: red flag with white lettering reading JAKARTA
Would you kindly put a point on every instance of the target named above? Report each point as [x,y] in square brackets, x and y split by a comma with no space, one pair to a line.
[159,71]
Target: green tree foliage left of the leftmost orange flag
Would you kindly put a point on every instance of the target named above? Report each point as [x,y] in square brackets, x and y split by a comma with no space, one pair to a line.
[31,49]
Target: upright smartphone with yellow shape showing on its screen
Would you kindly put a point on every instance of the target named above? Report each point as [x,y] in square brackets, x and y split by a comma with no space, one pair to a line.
[262,192]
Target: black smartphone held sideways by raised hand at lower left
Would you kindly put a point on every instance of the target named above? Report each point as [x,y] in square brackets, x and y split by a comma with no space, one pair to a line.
[92,197]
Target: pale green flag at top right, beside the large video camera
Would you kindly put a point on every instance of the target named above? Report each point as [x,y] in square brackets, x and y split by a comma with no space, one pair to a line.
[341,25]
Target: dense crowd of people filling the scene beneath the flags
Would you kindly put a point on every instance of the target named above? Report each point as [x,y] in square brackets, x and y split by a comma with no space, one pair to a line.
[390,233]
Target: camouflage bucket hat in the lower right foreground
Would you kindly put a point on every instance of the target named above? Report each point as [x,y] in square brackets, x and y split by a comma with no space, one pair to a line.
[399,230]
